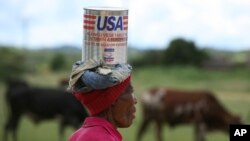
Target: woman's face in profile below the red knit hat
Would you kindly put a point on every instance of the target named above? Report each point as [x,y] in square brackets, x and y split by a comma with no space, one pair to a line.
[123,109]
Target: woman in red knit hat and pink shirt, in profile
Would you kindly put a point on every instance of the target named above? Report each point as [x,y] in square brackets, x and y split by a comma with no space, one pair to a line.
[109,109]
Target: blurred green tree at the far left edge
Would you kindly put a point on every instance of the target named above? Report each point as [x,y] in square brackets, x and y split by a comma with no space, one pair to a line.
[12,62]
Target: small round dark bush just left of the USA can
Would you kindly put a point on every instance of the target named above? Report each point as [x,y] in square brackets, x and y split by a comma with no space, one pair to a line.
[58,62]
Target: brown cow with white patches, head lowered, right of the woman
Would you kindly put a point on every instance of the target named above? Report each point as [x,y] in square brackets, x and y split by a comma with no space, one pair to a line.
[176,107]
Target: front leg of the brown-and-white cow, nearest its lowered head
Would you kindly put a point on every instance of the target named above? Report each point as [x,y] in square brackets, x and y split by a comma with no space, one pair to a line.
[200,130]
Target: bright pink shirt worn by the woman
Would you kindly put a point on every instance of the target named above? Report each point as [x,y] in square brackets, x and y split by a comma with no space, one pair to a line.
[96,129]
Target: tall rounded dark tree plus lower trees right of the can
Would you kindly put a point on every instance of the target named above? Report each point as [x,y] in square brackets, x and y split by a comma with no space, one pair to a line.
[178,52]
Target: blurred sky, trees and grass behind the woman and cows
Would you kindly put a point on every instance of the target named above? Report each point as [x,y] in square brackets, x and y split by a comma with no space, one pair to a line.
[190,45]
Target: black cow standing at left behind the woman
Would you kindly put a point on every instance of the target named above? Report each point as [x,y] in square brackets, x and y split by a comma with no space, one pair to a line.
[41,104]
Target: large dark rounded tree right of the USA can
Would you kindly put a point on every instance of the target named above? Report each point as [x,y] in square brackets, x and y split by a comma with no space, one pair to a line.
[182,52]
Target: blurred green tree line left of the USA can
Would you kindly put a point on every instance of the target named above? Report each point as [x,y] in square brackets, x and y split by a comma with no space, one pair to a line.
[16,62]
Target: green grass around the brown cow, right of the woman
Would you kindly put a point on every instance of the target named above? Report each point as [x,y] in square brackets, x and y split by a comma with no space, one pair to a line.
[232,88]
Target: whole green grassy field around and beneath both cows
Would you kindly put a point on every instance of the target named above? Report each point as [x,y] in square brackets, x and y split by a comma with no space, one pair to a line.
[232,88]
